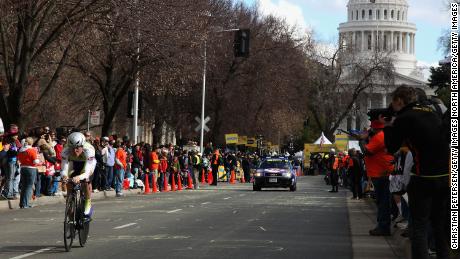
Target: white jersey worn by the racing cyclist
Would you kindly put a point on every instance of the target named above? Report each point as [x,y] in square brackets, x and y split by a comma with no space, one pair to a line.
[82,165]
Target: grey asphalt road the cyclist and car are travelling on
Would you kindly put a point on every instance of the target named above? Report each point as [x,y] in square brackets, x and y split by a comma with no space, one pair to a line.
[227,221]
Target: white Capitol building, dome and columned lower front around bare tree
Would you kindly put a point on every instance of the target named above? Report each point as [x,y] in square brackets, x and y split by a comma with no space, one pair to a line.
[382,26]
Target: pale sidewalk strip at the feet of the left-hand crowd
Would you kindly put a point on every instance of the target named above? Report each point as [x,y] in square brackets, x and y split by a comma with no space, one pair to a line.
[47,200]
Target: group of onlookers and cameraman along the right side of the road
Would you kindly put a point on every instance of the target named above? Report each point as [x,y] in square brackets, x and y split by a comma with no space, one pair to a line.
[404,159]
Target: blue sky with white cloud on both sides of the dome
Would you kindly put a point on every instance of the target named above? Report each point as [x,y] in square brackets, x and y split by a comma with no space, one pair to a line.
[430,16]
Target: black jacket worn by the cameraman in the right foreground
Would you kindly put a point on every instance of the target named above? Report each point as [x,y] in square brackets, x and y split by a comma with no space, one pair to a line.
[421,128]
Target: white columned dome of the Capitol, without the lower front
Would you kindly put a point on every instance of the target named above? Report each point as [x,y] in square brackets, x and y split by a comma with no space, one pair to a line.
[382,25]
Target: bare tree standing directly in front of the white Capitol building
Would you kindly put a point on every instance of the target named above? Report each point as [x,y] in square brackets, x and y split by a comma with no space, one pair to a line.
[339,80]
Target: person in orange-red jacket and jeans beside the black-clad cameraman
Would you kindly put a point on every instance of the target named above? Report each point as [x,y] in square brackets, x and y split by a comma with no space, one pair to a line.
[379,165]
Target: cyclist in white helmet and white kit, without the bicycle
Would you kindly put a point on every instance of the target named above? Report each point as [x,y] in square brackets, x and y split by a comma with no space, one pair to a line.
[82,156]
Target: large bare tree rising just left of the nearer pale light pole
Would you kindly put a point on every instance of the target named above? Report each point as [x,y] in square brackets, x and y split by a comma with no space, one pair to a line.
[134,38]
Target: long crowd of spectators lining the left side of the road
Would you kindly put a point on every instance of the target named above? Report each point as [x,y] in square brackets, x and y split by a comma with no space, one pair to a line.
[30,164]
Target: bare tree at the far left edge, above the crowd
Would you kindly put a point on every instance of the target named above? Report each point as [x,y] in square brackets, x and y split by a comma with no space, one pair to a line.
[30,34]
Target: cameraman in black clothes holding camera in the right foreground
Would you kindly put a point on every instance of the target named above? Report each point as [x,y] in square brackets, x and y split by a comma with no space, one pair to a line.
[422,128]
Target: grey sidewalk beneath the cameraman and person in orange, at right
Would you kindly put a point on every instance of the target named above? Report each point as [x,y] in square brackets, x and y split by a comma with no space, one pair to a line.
[362,218]
